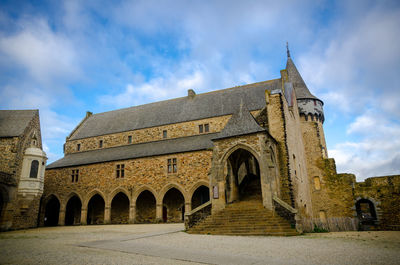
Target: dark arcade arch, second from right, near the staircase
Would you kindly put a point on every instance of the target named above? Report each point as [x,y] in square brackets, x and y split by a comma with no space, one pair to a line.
[174,202]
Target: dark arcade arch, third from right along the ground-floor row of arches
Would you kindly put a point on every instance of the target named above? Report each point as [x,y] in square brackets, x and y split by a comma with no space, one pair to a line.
[146,207]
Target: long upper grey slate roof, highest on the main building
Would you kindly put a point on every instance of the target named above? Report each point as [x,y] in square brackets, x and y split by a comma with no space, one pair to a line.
[200,106]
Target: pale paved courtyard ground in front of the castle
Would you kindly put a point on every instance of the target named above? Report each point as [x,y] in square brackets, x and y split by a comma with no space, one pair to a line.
[166,244]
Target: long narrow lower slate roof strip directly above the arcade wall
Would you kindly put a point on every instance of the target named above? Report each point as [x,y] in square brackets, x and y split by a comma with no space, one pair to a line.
[163,147]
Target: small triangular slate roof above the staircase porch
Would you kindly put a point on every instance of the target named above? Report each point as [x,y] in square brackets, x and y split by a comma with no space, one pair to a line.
[241,123]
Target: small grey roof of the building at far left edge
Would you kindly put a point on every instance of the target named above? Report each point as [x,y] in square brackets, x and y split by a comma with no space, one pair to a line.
[14,122]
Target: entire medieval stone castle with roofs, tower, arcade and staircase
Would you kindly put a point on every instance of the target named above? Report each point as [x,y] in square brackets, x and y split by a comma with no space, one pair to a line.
[255,151]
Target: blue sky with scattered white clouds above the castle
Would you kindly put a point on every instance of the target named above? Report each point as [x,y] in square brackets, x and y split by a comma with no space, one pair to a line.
[69,57]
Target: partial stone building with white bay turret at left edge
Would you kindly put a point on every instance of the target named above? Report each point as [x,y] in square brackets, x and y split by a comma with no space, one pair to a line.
[22,166]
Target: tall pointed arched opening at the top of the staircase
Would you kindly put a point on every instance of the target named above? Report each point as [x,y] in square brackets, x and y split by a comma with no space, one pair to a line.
[243,178]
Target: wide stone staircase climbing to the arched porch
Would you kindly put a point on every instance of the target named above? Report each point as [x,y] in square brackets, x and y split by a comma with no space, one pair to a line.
[247,217]
